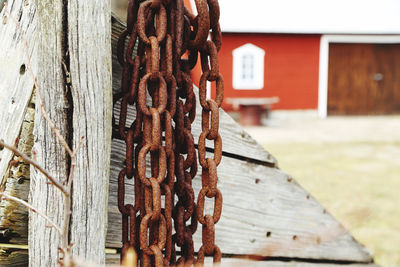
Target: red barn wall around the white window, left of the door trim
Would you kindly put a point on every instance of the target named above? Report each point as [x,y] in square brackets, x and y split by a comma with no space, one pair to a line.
[290,70]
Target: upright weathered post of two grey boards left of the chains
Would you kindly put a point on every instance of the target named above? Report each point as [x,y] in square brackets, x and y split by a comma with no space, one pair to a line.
[74,73]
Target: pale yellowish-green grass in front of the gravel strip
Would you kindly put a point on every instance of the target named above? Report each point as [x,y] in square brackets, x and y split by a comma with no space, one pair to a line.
[358,182]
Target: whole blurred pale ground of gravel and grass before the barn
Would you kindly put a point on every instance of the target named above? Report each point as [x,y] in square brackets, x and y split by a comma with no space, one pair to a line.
[351,165]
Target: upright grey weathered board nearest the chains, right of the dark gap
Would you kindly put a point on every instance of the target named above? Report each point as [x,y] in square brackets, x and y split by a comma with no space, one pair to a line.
[89,36]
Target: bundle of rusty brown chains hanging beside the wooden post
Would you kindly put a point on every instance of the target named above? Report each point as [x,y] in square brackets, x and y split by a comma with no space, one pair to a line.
[168,39]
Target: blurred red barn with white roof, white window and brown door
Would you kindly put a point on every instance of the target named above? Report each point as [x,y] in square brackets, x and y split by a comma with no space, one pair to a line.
[335,57]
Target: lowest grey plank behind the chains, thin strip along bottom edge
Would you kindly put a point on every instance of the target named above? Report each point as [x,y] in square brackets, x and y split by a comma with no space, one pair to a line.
[238,262]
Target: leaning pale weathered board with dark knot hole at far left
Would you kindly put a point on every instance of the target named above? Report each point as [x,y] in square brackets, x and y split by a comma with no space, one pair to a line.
[15,83]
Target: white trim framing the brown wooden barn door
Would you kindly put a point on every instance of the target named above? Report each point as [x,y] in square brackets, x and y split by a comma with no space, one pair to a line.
[324,61]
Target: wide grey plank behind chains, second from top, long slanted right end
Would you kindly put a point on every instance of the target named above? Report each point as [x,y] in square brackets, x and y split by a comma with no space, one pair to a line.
[265,213]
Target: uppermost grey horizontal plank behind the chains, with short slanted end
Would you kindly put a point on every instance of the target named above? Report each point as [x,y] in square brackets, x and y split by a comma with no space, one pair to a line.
[233,136]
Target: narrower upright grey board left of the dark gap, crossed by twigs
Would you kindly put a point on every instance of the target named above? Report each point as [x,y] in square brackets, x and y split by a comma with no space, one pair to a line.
[43,241]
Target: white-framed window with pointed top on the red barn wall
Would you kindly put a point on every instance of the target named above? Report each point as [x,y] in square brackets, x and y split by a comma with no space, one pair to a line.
[248,67]
